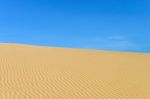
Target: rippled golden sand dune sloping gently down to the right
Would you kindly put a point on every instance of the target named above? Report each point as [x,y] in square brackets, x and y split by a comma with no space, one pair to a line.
[32,72]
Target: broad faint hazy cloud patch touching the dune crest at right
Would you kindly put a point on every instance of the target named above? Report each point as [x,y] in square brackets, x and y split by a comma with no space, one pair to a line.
[115,42]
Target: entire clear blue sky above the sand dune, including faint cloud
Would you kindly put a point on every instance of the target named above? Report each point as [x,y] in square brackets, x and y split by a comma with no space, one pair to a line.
[119,25]
